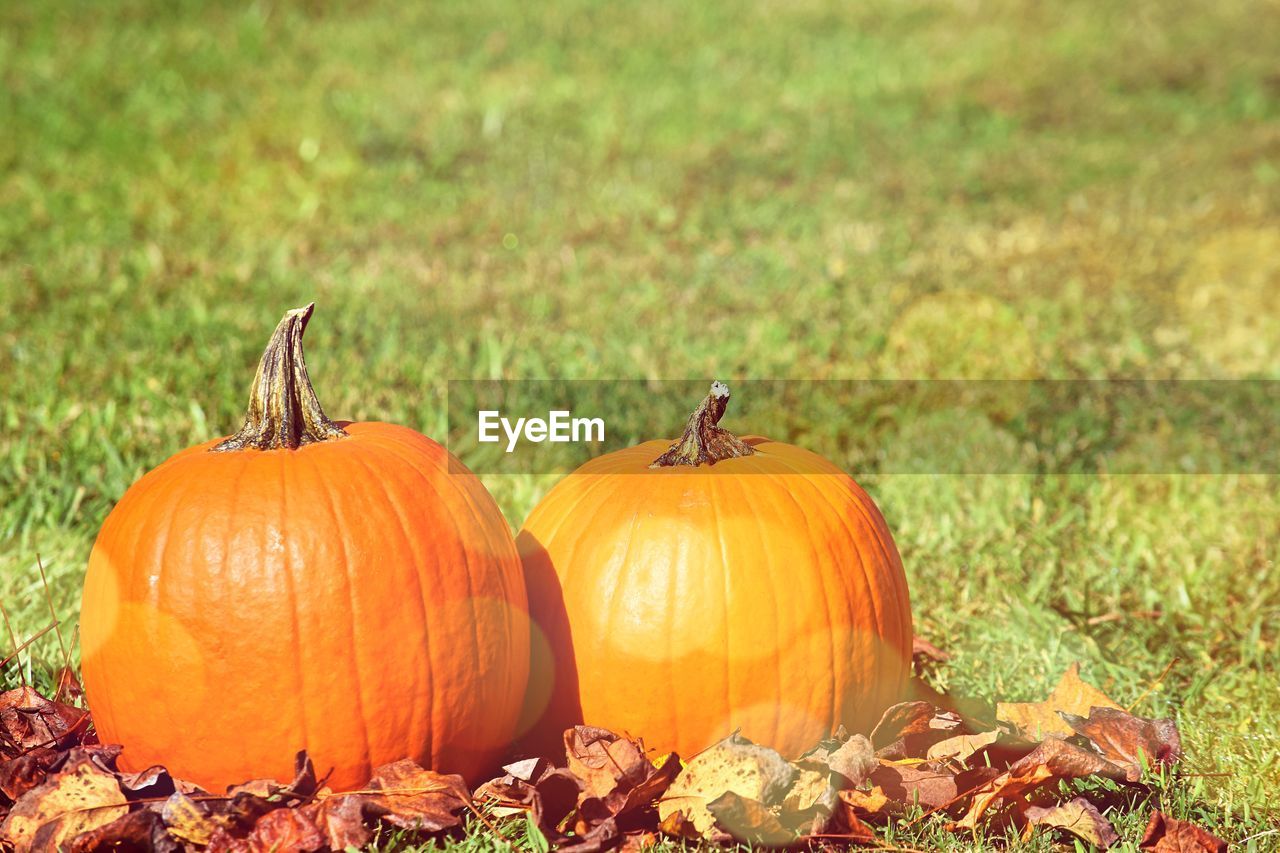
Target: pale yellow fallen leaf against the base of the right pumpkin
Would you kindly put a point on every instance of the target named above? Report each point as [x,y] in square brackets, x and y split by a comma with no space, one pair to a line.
[733,765]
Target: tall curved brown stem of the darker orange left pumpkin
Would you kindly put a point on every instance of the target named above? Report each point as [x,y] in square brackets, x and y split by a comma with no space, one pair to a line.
[284,410]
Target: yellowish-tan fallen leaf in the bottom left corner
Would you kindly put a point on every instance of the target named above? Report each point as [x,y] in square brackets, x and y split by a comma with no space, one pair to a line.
[77,800]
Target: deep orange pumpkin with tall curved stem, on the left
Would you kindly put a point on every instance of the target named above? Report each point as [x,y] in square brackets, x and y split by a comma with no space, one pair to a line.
[345,589]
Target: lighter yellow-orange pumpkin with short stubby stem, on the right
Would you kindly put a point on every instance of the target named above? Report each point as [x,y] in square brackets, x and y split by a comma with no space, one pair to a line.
[717,585]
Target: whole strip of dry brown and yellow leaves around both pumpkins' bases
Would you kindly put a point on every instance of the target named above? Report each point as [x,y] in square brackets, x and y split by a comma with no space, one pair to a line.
[60,790]
